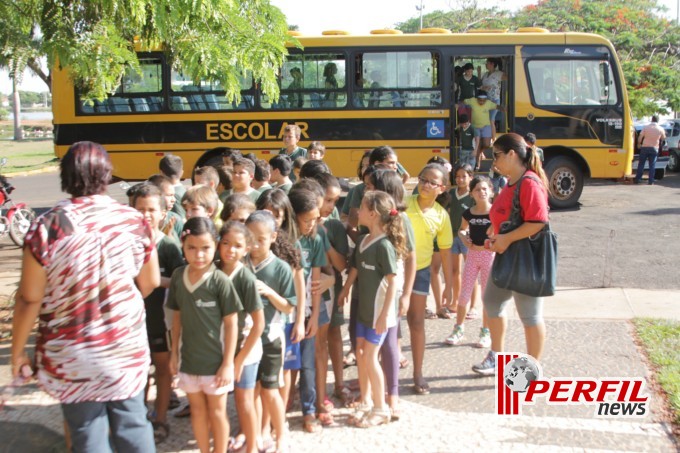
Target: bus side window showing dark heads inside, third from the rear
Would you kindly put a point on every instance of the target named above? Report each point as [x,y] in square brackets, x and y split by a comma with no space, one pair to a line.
[312,81]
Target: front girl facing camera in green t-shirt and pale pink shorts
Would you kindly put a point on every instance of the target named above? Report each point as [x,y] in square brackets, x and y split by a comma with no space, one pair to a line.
[205,324]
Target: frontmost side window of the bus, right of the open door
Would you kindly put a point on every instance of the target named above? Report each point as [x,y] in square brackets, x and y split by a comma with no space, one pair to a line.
[572,82]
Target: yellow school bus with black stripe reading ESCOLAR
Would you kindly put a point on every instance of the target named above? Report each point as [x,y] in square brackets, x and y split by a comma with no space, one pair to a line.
[354,93]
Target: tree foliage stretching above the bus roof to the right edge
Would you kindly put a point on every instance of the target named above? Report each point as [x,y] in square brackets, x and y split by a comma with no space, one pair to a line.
[648,45]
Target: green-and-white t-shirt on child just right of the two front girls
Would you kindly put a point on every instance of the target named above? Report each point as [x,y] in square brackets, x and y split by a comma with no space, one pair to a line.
[277,274]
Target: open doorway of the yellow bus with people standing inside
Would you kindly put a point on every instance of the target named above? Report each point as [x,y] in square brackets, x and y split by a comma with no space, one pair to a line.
[470,70]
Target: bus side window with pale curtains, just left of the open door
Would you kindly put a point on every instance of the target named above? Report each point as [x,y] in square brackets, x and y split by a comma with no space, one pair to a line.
[397,80]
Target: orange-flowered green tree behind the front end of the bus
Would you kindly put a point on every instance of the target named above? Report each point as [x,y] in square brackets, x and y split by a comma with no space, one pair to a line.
[647,44]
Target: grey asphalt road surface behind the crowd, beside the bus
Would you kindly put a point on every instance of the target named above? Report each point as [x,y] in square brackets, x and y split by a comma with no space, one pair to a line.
[621,235]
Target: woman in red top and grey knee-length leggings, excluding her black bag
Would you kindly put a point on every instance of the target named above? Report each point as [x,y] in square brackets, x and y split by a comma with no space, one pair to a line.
[514,159]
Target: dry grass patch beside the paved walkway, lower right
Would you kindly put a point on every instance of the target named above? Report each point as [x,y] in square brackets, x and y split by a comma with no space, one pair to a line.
[661,340]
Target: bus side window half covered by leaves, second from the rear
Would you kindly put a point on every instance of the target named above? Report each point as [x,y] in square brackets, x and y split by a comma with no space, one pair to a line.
[204,96]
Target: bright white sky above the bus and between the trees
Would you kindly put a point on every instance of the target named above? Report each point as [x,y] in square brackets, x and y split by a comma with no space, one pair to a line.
[354,16]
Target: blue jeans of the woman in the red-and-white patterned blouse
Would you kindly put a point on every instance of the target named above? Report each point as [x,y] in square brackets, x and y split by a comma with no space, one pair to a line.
[89,423]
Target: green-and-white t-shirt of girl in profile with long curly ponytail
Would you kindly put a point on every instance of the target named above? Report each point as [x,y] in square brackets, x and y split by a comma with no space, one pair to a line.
[374,260]
